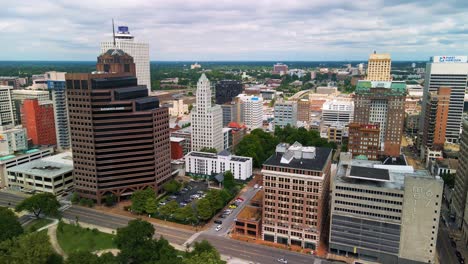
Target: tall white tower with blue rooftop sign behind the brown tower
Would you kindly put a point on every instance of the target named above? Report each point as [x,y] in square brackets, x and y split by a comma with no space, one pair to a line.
[138,50]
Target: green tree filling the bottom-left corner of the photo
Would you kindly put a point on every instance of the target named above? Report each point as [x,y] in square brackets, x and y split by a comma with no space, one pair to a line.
[30,248]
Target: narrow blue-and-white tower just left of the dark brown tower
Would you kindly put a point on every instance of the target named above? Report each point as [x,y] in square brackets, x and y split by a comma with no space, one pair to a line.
[56,86]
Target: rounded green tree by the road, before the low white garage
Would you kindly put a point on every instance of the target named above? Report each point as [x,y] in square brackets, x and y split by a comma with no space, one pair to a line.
[41,203]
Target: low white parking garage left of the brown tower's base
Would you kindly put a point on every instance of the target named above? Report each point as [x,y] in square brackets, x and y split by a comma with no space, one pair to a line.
[51,175]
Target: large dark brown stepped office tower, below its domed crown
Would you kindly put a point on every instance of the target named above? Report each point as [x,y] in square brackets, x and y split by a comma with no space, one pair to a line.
[120,136]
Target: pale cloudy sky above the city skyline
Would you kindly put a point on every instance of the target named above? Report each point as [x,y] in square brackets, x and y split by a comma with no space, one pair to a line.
[277,30]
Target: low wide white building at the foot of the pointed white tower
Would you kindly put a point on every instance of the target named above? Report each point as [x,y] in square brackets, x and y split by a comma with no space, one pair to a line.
[209,164]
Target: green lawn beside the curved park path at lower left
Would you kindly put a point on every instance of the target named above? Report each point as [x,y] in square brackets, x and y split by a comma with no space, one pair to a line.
[76,238]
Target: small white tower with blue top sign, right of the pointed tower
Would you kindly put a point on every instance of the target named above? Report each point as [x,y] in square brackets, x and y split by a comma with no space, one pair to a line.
[252,108]
